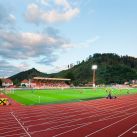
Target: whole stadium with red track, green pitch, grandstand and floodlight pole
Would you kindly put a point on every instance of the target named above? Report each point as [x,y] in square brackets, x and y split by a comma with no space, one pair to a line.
[49,107]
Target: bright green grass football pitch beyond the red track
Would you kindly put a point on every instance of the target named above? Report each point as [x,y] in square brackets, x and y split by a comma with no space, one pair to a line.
[54,96]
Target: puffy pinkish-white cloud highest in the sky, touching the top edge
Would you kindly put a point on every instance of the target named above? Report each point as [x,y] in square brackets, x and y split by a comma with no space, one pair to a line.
[36,14]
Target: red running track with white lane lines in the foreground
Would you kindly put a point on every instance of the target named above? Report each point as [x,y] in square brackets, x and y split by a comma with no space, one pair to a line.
[98,118]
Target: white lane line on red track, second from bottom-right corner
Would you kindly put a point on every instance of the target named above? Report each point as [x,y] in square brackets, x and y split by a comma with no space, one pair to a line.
[110,125]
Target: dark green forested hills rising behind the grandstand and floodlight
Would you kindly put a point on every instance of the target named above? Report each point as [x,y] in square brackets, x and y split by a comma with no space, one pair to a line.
[112,68]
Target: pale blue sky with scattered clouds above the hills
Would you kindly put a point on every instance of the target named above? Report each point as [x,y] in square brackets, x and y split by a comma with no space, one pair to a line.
[50,34]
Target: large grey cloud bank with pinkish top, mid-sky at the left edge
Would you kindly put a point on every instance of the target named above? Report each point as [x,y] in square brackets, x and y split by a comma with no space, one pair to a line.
[27,45]
